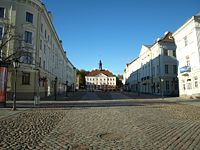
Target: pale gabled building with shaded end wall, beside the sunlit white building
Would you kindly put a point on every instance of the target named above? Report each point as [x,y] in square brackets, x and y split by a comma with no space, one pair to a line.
[155,69]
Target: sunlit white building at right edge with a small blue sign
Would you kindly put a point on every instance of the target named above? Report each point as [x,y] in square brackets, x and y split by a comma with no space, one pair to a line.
[187,39]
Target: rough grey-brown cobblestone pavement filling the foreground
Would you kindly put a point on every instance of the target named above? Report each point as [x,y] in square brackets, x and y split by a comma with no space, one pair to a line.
[149,127]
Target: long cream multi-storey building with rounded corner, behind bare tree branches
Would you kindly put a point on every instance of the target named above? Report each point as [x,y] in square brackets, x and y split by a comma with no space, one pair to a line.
[44,69]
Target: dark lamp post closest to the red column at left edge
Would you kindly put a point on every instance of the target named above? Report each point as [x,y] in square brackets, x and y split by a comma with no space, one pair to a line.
[15,65]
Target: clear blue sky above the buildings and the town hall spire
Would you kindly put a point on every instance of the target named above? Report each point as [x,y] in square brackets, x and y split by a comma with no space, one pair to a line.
[114,30]
